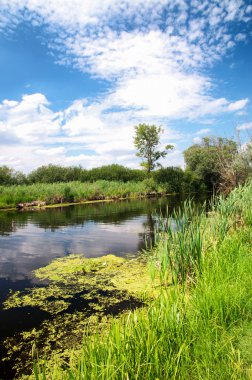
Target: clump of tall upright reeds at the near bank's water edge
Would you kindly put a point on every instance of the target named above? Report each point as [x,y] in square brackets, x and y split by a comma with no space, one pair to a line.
[179,240]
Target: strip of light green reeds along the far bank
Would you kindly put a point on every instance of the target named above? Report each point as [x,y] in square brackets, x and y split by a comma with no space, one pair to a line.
[56,193]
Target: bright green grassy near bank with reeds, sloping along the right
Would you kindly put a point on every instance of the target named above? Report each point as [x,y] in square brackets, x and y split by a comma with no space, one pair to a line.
[200,325]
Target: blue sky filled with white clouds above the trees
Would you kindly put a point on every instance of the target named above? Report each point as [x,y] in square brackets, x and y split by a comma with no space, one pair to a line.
[75,77]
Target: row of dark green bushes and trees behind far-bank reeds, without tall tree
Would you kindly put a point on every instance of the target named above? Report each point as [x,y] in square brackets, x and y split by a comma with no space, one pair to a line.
[214,164]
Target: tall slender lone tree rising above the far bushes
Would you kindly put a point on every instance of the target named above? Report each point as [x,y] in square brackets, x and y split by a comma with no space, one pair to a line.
[147,140]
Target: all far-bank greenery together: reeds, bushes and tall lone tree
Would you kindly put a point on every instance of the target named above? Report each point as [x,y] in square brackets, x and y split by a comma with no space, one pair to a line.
[215,164]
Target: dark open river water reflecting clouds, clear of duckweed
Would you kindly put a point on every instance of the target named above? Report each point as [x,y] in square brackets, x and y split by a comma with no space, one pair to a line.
[31,239]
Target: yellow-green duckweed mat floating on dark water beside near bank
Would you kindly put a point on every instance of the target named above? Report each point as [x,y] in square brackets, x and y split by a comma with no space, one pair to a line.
[77,292]
